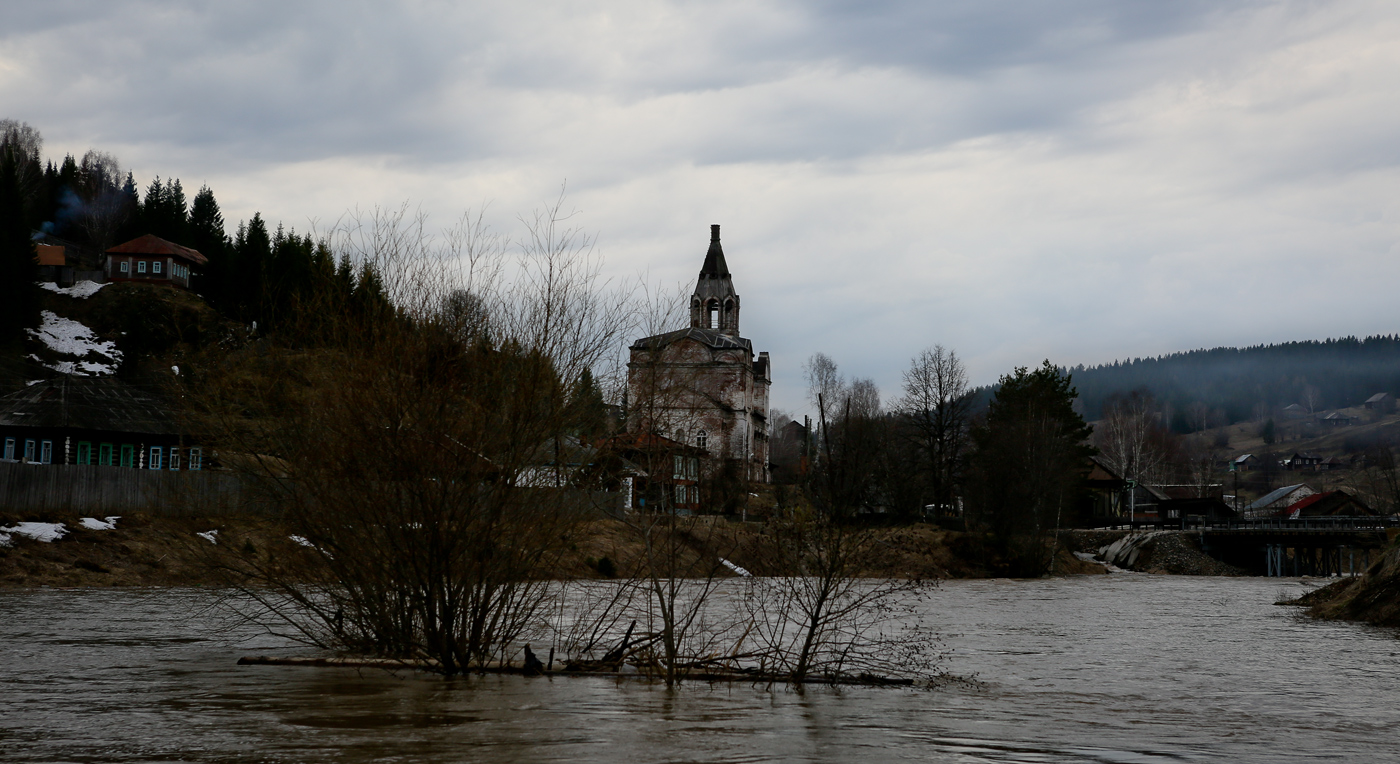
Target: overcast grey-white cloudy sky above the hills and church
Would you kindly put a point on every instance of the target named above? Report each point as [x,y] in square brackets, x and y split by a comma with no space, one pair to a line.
[1077,181]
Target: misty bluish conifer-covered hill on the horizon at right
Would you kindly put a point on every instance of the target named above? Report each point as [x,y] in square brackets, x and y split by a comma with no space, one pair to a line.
[1234,384]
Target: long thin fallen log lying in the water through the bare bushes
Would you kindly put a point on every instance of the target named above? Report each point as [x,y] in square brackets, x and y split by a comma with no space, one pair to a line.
[513,670]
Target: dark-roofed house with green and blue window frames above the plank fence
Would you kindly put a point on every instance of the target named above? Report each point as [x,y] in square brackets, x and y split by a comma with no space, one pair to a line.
[97,422]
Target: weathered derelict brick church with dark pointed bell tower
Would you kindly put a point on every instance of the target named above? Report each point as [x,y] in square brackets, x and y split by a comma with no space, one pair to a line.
[703,385]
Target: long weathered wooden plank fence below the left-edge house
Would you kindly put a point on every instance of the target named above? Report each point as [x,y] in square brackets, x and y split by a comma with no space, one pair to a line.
[100,489]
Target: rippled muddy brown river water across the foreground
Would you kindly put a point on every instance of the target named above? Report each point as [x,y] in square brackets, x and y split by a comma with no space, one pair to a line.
[1125,670]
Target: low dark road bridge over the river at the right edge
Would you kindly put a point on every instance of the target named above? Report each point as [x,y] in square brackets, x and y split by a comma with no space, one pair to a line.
[1293,548]
